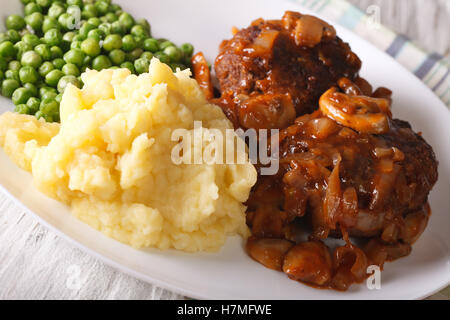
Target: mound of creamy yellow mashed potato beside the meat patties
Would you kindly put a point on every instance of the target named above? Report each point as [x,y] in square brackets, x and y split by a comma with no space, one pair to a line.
[110,160]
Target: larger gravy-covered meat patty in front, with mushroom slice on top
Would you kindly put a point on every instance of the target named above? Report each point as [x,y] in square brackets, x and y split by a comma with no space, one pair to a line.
[346,170]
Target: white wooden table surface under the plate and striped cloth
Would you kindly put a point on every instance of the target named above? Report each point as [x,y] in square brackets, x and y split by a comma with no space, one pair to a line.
[37,264]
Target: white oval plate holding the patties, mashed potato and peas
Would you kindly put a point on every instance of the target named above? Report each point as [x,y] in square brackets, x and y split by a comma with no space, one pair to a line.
[230,273]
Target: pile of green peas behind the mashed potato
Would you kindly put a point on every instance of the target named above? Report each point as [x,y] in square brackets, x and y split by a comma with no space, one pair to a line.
[55,41]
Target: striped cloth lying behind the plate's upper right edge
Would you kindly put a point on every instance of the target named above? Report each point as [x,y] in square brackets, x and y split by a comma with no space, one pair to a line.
[431,68]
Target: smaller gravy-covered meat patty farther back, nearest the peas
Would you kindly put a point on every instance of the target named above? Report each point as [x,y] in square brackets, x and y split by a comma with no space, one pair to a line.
[274,71]
